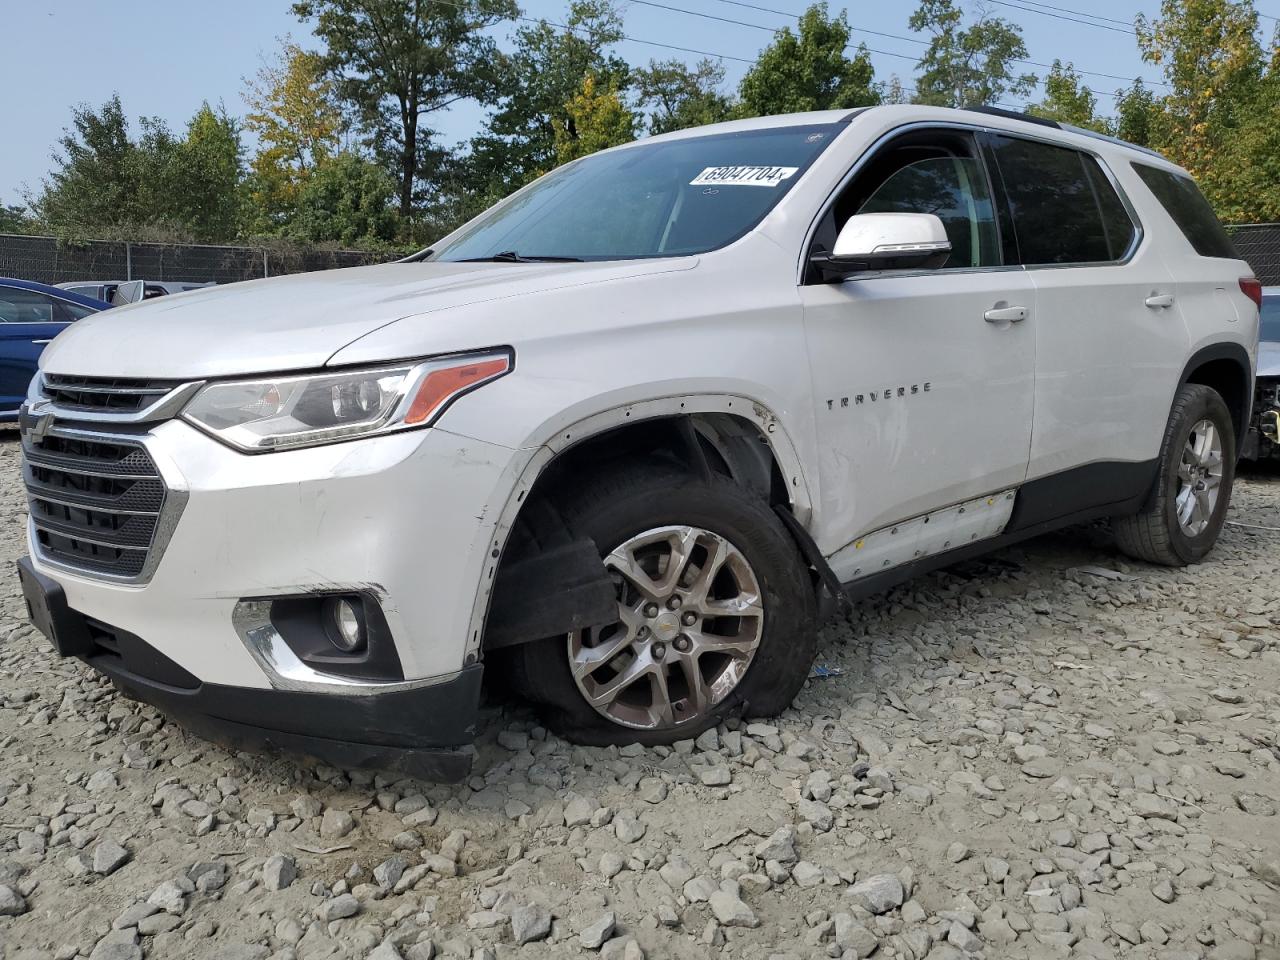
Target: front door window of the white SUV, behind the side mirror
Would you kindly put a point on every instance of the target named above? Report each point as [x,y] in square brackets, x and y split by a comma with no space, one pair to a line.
[926,172]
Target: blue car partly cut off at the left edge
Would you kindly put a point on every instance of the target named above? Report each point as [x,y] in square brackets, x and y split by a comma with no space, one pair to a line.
[31,316]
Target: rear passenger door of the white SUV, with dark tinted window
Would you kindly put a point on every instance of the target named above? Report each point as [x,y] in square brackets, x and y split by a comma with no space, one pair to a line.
[1109,345]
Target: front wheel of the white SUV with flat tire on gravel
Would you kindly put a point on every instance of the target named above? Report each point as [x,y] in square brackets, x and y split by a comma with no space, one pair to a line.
[628,510]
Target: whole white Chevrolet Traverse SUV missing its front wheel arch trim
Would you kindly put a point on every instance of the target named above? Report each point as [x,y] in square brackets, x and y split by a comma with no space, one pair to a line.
[624,438]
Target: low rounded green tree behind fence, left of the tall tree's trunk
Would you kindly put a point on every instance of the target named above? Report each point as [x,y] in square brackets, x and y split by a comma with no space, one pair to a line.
[348,200]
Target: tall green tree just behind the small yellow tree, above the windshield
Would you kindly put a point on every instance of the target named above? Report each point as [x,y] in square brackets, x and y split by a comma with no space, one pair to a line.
[543,75]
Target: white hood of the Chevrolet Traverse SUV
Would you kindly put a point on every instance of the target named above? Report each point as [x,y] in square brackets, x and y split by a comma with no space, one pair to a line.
[300,322]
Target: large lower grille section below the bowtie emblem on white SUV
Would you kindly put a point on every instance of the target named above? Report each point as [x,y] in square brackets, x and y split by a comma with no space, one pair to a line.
[97,501]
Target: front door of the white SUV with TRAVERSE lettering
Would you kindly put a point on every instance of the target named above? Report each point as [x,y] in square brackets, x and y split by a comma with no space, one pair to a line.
[924,381]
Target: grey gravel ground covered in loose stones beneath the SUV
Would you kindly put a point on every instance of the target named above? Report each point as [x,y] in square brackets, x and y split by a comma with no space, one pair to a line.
[1013,758]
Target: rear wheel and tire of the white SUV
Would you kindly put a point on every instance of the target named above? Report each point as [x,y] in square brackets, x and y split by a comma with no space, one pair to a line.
[1156,534]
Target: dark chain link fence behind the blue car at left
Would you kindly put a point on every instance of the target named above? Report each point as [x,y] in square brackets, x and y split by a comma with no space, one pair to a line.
[49,260]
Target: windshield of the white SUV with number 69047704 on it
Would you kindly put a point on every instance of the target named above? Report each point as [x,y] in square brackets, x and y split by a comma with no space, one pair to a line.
[655,200]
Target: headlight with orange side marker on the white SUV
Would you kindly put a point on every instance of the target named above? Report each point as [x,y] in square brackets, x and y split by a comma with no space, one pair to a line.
[278,413]
